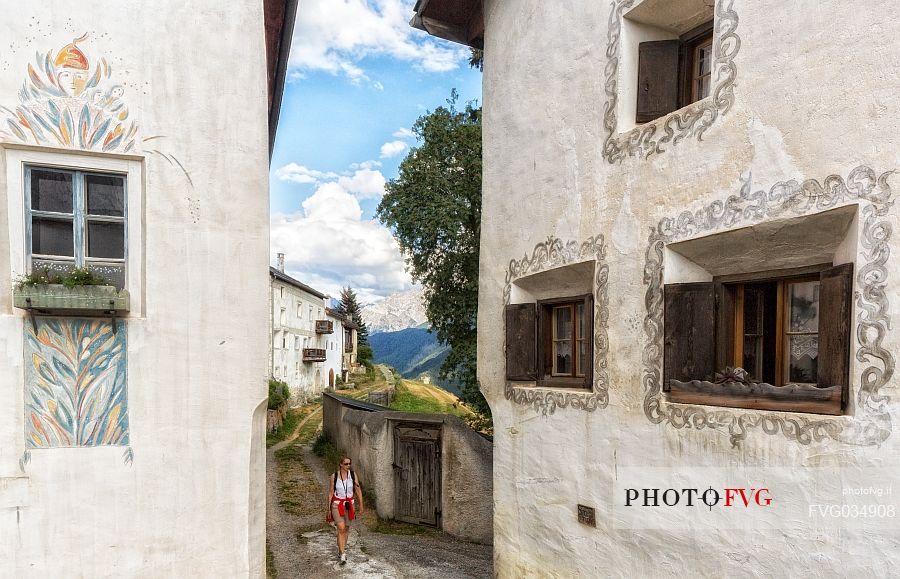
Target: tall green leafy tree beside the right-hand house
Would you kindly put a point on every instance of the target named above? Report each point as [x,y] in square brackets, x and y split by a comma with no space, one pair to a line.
[434,208]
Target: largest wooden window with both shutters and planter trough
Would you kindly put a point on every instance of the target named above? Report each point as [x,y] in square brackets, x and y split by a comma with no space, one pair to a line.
[771,340]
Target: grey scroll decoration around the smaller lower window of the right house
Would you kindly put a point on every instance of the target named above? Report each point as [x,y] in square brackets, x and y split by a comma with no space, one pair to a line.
[548,255]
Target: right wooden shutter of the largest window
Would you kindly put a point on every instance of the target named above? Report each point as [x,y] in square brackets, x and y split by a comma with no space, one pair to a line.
[835,311]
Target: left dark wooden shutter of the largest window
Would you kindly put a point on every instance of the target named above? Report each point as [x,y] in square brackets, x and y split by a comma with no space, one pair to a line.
[690,332]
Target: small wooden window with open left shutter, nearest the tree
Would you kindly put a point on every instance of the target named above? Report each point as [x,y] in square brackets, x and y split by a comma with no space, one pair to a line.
[550,342]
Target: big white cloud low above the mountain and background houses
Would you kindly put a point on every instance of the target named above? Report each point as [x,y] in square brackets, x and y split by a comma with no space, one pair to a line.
[328,245]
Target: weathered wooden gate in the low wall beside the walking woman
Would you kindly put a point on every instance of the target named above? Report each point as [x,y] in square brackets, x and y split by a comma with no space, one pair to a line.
[417,473]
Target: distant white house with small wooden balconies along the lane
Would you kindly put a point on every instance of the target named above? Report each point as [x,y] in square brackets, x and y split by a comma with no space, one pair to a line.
[312,345]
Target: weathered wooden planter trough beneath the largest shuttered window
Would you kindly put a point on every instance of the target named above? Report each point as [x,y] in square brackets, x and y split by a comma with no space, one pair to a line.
[806,398]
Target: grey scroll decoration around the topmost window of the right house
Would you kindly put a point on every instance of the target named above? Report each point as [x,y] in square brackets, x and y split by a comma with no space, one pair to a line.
[692,121]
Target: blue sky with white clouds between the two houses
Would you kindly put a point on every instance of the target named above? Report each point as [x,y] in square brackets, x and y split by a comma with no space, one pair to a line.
[359,77]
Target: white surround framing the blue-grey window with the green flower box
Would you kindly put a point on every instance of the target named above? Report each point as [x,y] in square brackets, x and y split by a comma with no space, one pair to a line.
[16,157]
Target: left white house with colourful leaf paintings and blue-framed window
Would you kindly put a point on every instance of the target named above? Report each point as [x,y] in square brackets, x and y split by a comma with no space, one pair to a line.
[134,143]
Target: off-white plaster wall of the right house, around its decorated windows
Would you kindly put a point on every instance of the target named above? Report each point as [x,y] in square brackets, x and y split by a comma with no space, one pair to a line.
[815,95]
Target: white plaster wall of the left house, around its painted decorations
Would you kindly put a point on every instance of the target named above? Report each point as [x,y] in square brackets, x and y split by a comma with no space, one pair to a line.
[189,505]
